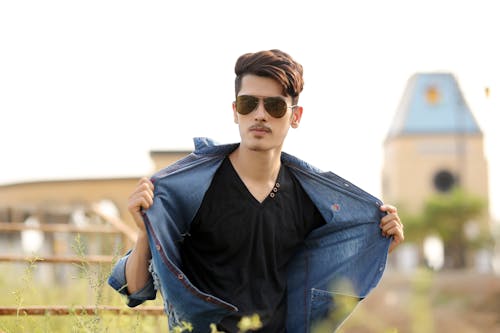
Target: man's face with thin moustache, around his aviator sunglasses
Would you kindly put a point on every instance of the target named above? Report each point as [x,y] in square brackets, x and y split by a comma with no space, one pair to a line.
[258,129]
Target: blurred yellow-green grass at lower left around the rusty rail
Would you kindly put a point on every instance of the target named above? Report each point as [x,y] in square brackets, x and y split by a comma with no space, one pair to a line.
[74,286]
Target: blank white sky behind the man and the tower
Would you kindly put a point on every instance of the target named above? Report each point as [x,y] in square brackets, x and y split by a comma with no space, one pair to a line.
[87,88]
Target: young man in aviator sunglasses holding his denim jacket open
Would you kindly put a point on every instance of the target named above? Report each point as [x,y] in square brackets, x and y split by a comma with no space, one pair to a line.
[241,229]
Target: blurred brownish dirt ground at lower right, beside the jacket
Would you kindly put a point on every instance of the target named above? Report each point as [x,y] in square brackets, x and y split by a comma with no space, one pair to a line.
[428,302]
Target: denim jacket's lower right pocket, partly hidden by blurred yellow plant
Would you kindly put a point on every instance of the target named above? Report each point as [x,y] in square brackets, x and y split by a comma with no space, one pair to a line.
[329,309]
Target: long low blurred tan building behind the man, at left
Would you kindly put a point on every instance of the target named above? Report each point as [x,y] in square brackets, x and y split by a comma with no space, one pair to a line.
[68,202]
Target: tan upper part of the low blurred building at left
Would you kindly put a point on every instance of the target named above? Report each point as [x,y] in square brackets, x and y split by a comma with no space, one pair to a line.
[55,201]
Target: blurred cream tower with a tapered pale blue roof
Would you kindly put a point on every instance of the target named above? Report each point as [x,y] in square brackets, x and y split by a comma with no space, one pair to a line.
[433,144]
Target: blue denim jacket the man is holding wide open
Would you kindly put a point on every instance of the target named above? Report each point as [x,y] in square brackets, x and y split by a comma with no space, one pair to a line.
[336,267]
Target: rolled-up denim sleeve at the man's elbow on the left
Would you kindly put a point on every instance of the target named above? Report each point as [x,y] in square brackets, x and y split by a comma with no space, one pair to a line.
[118,281]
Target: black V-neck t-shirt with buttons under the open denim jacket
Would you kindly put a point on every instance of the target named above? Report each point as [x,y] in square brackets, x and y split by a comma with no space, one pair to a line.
[238,248]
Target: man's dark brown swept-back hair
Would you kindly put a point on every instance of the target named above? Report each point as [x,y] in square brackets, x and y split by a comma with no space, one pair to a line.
[274,64]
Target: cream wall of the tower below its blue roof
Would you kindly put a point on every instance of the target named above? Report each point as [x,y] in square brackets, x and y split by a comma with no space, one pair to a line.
[411,163]
